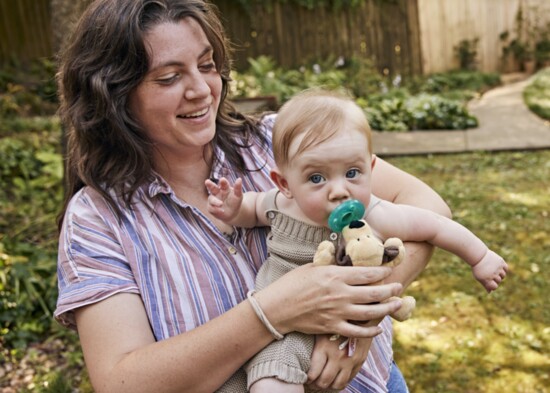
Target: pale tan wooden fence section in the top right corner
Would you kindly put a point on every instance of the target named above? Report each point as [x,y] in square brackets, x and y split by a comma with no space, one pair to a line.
[444,23]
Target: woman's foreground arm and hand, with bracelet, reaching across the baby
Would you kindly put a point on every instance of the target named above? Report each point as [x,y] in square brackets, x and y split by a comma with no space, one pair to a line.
[122,355]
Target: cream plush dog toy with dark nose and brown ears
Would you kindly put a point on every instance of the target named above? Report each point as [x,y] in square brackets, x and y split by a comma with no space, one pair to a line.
[361,248]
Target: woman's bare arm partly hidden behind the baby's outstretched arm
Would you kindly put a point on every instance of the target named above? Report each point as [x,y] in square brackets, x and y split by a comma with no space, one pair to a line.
[394,185]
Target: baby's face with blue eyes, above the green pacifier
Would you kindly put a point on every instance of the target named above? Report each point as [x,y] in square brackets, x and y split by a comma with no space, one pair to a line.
[327,174]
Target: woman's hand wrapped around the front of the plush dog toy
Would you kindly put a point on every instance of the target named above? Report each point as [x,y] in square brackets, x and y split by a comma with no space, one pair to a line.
[327,299]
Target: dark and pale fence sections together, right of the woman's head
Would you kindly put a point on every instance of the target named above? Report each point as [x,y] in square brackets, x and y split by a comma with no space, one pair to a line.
[401,36]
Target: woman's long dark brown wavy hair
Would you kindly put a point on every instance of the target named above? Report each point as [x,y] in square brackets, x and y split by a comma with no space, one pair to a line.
[103,62]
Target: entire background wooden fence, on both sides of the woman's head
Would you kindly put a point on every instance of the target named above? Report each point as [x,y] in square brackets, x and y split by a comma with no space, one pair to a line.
[400,36]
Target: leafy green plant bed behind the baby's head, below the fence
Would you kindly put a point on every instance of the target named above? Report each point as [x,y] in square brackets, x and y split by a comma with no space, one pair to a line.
[437,101]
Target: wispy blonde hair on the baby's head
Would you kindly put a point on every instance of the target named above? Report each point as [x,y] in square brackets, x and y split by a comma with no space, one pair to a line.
[318,113]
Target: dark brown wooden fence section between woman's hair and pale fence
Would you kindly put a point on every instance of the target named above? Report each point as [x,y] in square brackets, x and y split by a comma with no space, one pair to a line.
[386,32]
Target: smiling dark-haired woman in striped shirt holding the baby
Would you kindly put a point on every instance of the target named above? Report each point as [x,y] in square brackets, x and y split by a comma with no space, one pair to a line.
[155,284]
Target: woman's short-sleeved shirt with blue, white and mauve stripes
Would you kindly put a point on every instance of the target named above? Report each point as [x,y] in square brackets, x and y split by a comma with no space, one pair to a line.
[185,269]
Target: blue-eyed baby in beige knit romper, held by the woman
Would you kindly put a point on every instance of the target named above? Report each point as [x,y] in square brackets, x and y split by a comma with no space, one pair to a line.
[322,148]
